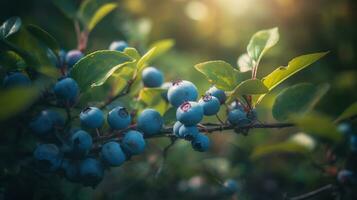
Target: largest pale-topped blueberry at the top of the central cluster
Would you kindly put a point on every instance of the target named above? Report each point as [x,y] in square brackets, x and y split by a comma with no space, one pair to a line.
[181,91]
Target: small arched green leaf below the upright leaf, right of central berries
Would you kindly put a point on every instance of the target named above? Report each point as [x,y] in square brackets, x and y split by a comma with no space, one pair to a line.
[248,87]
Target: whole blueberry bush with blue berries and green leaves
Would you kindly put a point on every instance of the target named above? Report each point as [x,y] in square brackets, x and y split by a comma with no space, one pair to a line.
[72,116]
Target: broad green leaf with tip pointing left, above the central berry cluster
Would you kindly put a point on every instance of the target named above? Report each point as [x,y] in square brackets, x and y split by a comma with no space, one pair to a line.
[220,73]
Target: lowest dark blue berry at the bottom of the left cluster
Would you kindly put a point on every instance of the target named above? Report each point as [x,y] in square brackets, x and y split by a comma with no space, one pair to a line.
[91,171]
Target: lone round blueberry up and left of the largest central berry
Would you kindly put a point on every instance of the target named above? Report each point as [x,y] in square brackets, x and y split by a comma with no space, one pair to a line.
[152,77]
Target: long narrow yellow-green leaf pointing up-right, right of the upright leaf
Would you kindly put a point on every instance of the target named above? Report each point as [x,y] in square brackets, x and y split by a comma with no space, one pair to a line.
[283,73]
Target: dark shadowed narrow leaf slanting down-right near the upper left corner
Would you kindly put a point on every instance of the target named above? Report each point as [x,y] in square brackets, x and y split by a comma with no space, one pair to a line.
[44,37]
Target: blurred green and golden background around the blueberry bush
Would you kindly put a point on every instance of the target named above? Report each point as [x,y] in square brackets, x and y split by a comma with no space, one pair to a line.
[210,30]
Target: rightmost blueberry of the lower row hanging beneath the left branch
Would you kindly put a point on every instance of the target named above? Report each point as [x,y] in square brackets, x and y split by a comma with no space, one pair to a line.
[133,142]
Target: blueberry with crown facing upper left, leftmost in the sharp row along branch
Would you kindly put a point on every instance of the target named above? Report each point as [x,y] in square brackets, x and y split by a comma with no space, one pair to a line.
[92,117]
